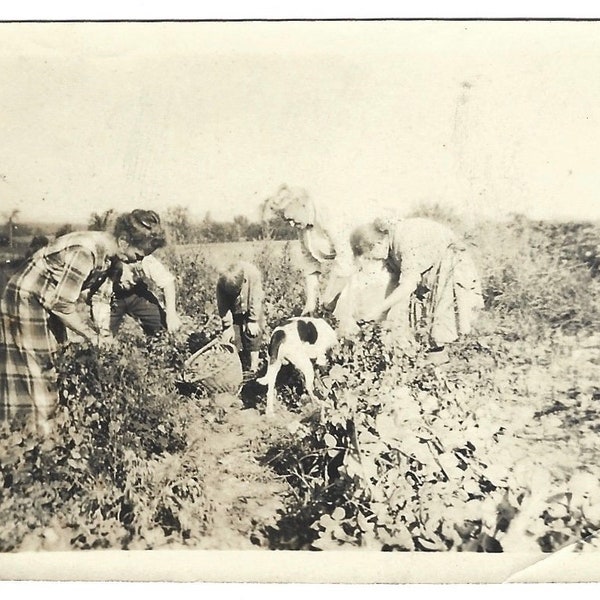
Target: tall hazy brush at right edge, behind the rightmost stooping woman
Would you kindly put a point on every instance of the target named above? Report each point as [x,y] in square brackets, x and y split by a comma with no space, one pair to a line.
[540,277]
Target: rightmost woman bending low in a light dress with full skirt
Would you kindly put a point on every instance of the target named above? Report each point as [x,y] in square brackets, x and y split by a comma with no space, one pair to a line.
[435,285]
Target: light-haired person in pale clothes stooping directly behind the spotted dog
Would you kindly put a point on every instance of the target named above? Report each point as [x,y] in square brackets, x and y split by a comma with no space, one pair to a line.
[324,243]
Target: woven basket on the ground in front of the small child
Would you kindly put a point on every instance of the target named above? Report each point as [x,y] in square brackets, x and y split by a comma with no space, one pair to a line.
[216,368]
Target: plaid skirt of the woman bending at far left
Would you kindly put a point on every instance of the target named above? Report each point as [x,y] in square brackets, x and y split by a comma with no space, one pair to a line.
[29,341]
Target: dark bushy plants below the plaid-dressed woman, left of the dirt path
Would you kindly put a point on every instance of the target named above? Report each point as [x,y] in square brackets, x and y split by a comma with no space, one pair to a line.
[116,470]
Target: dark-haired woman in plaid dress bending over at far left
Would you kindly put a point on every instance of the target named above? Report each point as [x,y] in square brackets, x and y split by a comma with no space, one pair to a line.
[40,303]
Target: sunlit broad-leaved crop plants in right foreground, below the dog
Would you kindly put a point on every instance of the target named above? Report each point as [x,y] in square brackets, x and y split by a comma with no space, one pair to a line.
[402,455]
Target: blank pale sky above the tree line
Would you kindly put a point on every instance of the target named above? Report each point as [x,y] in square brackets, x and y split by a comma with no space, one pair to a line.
[488,117]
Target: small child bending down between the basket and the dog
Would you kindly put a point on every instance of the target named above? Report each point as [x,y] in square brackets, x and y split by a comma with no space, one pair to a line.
[240,304]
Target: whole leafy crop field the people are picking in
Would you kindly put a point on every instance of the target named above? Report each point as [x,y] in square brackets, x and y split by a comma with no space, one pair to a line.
[495,451]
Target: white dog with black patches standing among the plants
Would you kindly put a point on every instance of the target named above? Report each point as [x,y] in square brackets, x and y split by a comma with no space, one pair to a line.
[298,341]
